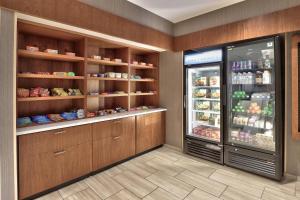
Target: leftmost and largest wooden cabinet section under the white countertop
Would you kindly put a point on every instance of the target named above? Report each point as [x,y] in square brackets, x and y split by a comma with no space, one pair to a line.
[50,158]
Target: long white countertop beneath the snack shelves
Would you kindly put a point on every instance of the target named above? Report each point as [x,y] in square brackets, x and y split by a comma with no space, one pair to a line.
[78,122]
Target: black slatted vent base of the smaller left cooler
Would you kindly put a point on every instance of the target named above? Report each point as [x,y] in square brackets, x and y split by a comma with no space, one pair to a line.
[205,150]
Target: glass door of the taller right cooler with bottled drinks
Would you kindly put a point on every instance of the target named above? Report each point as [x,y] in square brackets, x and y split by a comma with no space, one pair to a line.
[251,95]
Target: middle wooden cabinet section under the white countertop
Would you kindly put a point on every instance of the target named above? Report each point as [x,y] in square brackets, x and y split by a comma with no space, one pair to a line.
[113,141]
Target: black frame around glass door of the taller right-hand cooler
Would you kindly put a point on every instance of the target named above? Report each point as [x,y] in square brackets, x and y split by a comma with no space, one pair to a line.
[279,104]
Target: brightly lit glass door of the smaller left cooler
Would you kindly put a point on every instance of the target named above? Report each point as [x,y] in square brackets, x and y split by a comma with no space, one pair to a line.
[203,103]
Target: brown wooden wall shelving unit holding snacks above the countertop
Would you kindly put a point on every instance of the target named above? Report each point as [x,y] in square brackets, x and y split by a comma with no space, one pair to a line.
[32,65]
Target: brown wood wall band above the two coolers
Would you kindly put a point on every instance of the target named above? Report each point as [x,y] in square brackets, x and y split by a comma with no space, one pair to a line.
[270,24]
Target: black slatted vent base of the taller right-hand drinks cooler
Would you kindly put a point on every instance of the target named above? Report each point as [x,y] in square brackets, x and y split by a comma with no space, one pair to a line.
[260,163]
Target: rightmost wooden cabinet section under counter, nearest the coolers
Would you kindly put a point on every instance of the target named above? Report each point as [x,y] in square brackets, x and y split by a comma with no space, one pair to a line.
[150,131]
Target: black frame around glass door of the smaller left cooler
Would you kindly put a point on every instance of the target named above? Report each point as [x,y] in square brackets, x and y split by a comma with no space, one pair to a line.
[222,96]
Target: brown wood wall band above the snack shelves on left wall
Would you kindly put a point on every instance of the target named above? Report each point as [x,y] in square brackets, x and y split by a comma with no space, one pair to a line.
[81,15]
